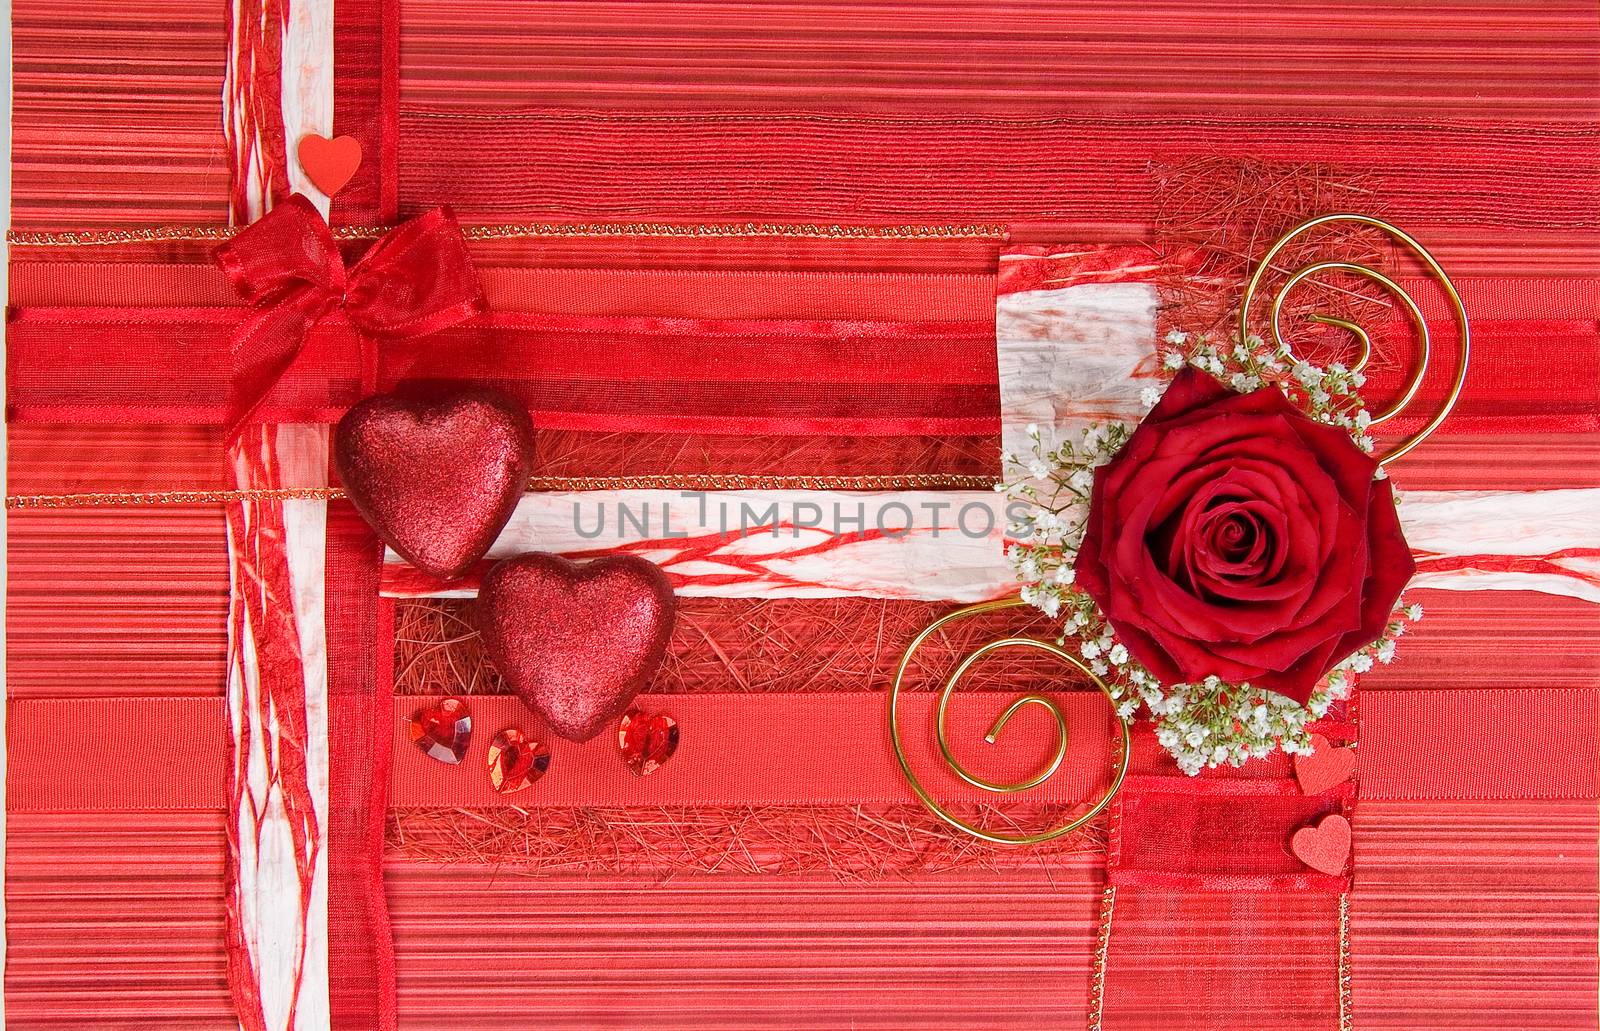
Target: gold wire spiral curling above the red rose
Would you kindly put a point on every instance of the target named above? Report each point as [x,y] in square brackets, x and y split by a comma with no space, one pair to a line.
[1364,342]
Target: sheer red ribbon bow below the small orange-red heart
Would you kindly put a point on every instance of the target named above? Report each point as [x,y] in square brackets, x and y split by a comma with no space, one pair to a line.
[418,279]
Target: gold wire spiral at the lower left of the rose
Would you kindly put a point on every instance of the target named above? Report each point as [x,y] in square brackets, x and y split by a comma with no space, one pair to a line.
[994,732]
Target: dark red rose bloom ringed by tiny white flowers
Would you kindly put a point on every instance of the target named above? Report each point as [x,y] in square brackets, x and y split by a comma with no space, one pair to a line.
[1236,537]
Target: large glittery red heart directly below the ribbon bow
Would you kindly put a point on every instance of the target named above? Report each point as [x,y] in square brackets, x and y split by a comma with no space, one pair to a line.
[436,479]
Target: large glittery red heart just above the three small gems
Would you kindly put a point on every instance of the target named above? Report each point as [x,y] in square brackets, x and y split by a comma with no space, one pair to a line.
[577,643]
